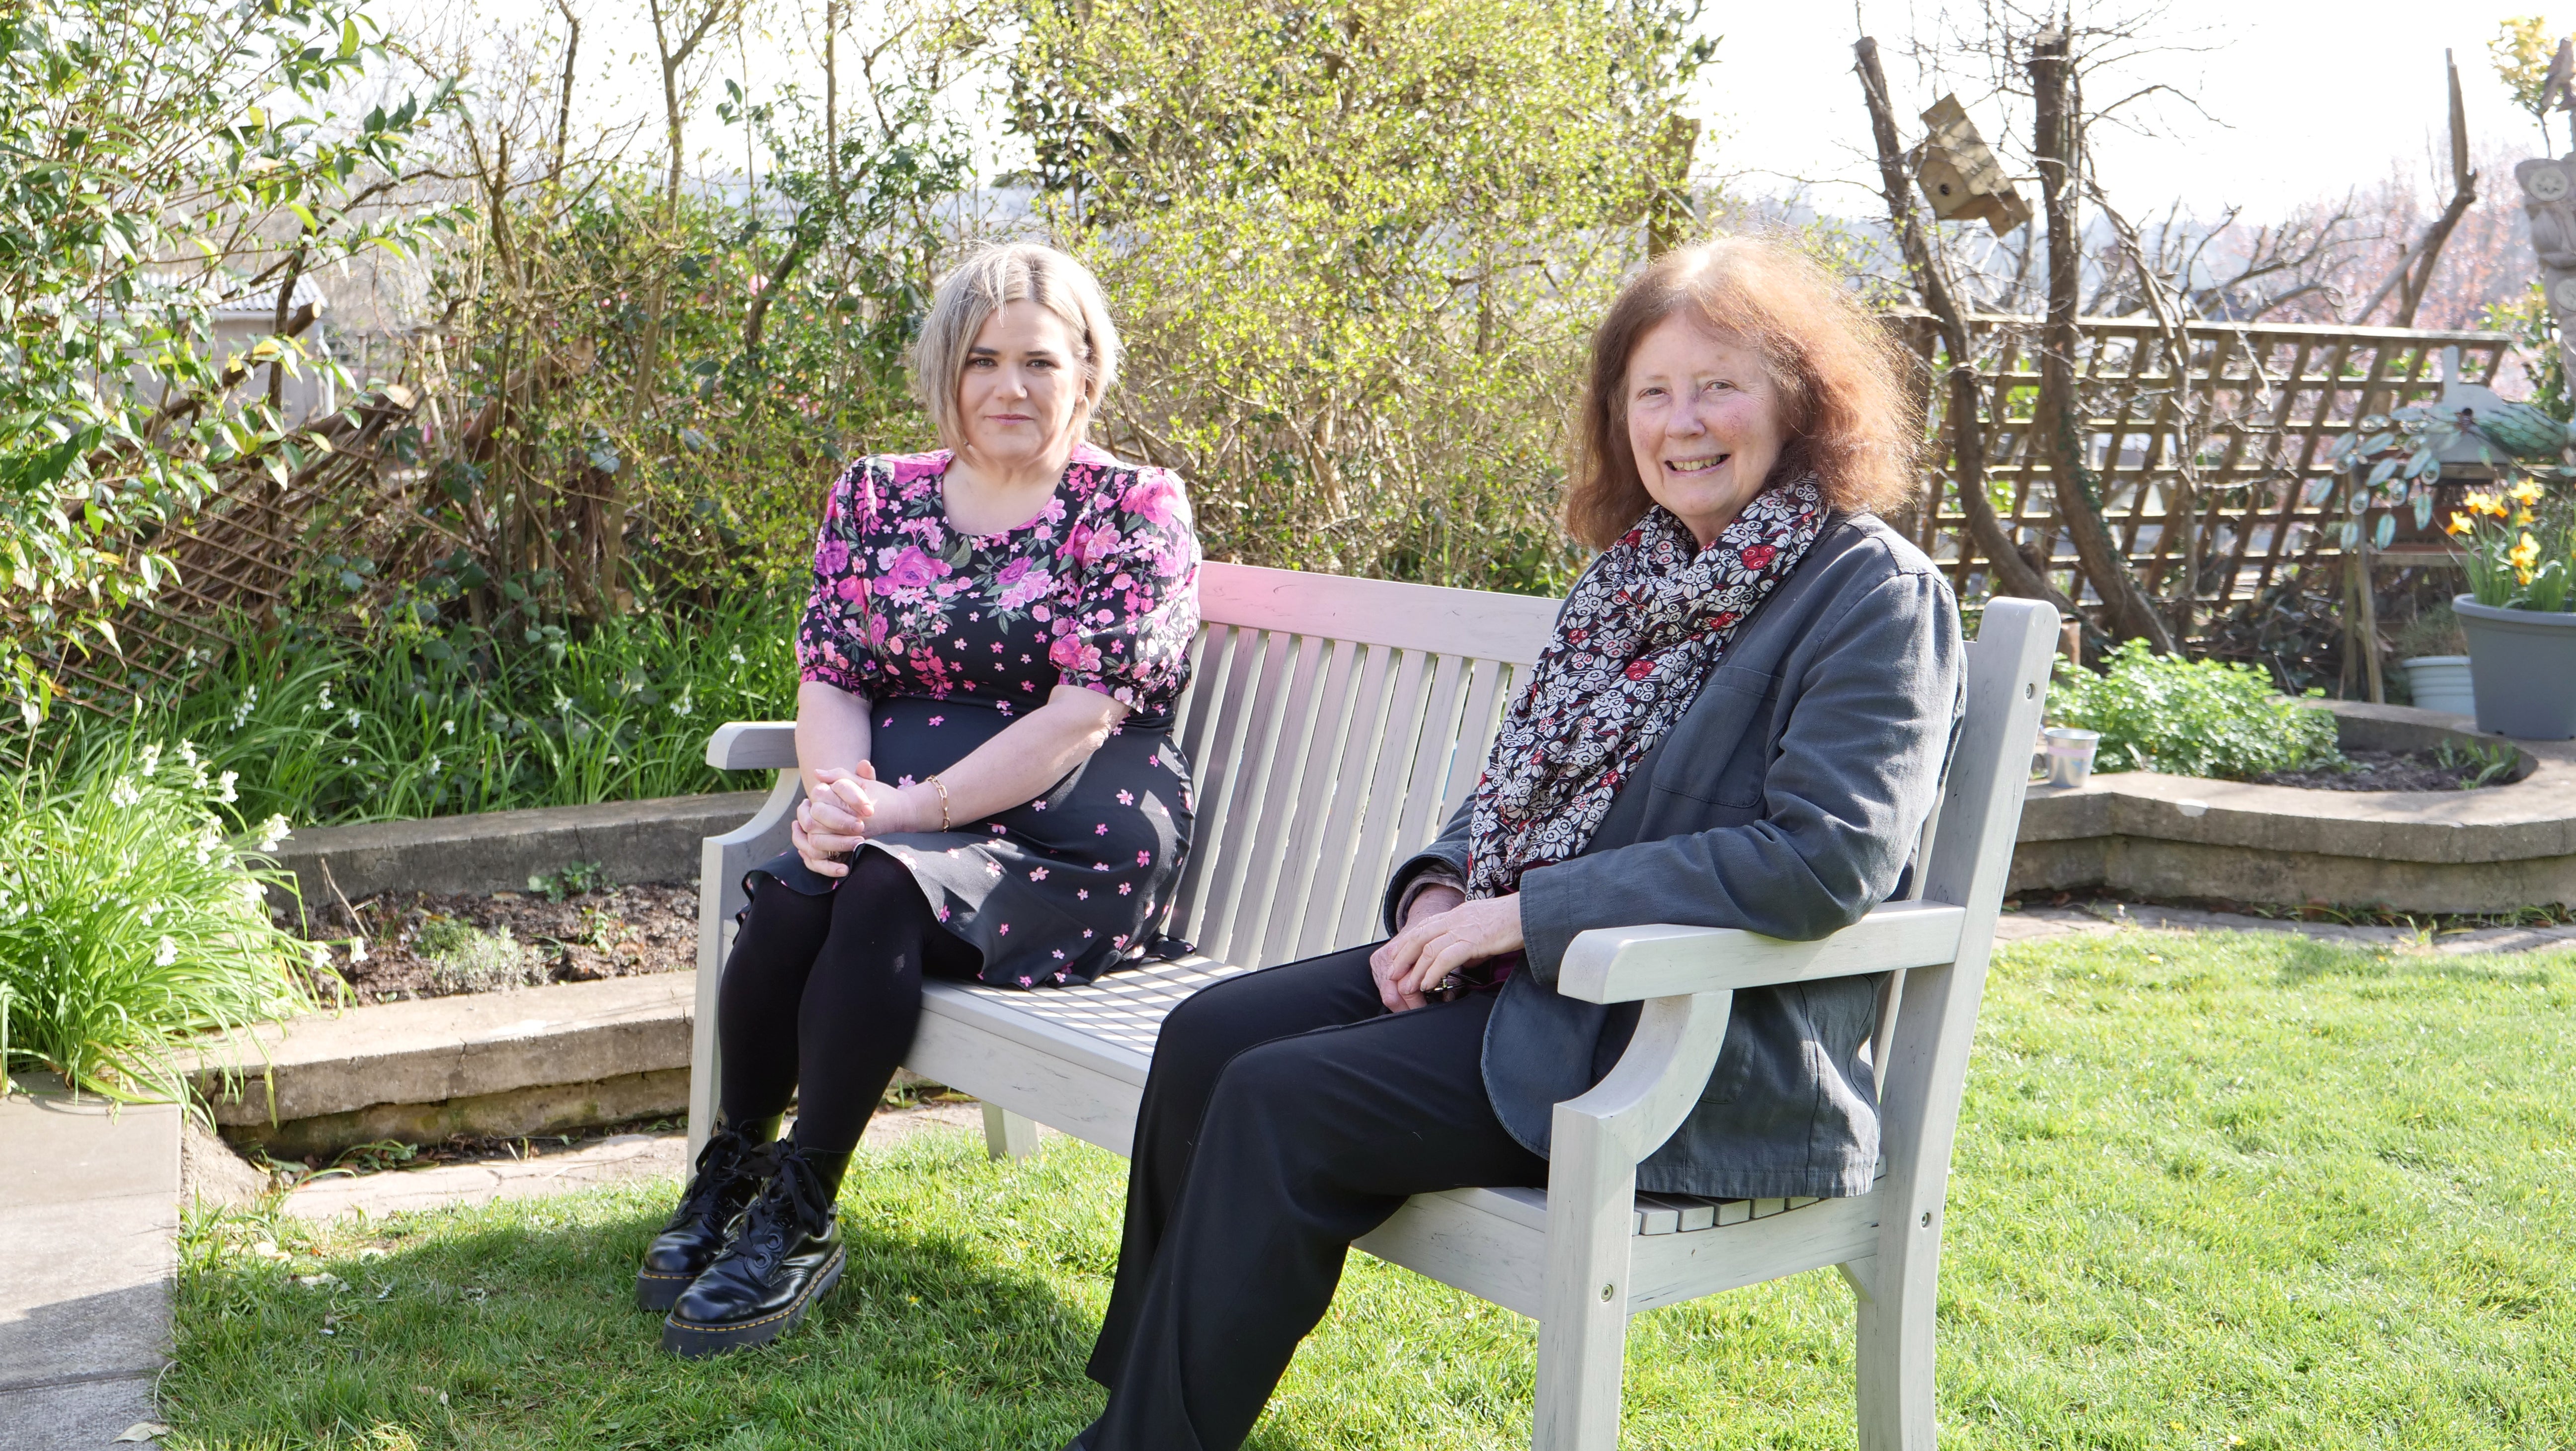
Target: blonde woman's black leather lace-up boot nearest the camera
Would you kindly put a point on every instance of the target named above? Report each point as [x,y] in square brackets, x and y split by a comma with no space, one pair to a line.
[782,1259]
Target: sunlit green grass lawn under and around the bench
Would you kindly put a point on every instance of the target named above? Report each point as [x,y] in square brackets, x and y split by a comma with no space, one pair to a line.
[2211,1192]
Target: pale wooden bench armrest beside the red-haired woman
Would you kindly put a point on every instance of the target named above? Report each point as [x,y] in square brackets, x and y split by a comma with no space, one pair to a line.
[1624,965]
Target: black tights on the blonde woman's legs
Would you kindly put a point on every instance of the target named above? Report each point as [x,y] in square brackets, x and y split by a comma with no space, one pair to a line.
[823,996]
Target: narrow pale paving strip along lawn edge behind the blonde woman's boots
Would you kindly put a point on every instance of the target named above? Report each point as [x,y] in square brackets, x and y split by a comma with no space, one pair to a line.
[609,1161]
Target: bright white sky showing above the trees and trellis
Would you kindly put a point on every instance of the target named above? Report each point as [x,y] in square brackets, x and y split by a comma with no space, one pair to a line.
[2304,99]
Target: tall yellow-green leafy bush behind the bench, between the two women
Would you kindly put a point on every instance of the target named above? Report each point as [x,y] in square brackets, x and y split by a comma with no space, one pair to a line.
[1359,251]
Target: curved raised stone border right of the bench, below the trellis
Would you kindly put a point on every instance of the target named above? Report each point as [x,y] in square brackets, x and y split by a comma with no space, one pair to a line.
[2412,852]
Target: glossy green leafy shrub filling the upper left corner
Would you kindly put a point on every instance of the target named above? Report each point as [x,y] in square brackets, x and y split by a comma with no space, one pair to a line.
[148,146]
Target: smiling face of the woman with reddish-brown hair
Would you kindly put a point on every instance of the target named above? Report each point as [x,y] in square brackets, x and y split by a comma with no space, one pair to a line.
[1704,421]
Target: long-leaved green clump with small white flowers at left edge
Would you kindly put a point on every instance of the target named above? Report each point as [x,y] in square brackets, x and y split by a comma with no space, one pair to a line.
[133,919]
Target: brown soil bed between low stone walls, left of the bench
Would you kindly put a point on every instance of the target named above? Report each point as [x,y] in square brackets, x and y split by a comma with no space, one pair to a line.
[424,945]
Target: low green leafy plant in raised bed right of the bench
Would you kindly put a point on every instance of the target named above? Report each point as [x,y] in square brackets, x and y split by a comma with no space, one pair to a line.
[2191,718]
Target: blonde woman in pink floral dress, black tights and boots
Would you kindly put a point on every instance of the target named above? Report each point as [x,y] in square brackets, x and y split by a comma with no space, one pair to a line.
[993,653]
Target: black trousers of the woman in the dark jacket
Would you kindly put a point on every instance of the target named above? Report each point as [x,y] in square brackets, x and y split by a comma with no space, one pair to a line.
[1287,1115]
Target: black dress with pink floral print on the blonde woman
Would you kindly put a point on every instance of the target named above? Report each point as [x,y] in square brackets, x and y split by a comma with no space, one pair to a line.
[954,635]
